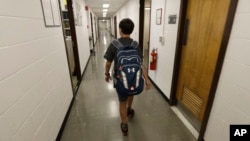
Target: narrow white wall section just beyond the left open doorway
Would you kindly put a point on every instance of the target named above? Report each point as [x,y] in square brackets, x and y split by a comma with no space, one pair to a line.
[83,36]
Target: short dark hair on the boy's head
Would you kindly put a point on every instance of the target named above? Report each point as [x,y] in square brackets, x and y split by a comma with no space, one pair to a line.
[126,25]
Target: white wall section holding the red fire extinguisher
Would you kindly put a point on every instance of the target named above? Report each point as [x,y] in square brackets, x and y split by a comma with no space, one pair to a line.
[162,76]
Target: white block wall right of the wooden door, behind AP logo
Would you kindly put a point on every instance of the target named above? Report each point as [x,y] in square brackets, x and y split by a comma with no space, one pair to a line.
[231,104]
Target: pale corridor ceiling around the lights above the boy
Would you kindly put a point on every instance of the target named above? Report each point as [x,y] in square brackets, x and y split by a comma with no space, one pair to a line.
[96,6]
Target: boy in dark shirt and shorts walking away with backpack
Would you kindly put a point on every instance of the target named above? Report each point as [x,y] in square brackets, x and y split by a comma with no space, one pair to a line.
[129,73]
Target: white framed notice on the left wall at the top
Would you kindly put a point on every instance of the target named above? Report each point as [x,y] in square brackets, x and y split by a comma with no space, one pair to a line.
[51,13]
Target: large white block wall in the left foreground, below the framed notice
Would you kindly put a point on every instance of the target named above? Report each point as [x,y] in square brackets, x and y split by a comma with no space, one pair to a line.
[35,86]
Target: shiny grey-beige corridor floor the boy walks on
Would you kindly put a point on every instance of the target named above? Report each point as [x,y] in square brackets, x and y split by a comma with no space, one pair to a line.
[95,117]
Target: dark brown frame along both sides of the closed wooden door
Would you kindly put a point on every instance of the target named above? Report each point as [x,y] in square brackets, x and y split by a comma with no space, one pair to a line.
[219,64]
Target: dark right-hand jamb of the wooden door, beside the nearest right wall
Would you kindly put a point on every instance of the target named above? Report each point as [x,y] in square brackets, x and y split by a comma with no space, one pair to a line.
[224,44]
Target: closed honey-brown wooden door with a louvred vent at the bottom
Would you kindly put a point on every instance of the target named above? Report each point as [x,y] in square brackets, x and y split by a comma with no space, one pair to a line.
[205,22]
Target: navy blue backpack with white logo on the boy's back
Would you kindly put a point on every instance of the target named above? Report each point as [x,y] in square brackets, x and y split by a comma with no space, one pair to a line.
[128,75]
